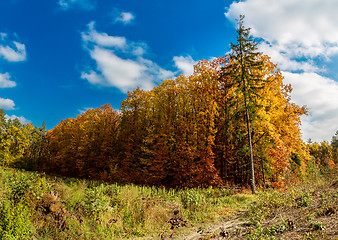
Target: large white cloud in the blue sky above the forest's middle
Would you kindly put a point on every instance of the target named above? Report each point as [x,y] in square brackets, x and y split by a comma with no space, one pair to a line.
[120,64]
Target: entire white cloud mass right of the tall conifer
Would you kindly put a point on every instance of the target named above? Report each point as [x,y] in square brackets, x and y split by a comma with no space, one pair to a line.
[300,36]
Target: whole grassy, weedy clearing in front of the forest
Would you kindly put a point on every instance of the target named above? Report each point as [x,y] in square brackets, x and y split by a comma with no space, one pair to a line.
[37,206]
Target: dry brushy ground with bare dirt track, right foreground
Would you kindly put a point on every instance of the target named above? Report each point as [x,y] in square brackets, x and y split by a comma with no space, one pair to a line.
[305,211]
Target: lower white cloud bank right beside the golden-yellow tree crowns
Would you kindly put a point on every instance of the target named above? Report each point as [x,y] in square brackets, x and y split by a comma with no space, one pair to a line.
[320,94]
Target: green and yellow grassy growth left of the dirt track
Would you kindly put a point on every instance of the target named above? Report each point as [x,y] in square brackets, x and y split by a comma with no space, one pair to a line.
[36,206]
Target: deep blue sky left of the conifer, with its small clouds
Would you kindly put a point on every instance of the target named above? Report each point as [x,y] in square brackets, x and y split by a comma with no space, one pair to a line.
[55,55]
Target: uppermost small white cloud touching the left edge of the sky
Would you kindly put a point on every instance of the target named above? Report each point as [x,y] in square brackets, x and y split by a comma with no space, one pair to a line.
[11,51]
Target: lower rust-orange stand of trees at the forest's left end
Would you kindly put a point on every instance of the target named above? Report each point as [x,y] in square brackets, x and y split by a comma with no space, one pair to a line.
[84,146]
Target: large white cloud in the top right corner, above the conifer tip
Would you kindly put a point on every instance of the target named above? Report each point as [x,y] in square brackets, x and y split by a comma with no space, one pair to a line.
[309,26]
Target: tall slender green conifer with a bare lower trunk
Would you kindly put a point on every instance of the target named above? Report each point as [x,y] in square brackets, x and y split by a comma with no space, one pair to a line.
[245,69]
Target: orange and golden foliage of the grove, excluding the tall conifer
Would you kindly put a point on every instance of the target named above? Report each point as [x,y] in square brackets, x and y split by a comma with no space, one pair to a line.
[186,132]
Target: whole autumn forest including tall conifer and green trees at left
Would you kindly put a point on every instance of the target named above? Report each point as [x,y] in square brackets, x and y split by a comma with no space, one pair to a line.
[231,122]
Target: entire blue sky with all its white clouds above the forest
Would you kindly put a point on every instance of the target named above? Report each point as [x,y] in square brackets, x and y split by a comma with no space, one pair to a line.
[59,58]
